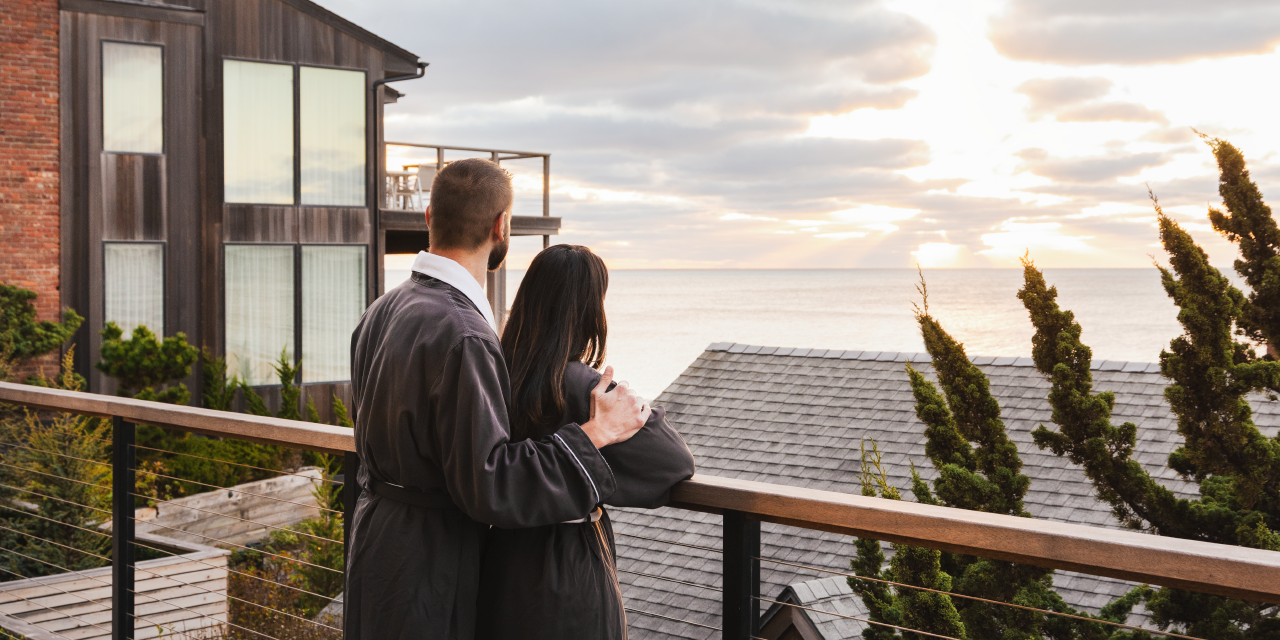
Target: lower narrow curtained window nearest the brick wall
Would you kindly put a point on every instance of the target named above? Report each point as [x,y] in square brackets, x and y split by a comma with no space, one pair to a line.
[134,286]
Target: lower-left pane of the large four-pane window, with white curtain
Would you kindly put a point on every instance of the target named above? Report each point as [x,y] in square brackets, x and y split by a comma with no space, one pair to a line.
[259,310]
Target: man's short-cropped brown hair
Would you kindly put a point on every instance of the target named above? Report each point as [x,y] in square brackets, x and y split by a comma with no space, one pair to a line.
[467,199]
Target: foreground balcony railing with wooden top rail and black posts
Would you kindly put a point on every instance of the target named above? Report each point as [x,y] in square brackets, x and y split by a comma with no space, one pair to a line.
[1228,572]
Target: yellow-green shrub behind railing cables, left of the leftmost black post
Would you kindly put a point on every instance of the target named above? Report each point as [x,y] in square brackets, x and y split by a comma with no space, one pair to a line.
[54,467]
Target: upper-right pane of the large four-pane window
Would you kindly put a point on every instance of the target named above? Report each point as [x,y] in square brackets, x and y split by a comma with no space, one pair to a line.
[333,136]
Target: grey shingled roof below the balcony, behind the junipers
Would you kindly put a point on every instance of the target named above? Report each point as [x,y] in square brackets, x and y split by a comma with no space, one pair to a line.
[798,417]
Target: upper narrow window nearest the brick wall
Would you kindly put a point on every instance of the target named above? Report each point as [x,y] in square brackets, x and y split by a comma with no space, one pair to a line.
[132,98]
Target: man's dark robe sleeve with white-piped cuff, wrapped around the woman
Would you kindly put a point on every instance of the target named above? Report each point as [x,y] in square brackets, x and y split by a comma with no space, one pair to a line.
[511,486]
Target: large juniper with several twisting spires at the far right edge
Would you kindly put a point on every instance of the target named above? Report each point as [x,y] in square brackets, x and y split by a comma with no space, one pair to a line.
[1236,467]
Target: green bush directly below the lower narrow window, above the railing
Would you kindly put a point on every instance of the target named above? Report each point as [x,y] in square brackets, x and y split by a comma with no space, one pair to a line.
[145,367]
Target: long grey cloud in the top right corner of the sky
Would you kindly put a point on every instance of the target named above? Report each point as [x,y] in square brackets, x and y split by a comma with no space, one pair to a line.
[1135,31]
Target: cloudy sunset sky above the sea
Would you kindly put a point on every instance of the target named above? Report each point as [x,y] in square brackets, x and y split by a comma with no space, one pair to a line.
[851,134]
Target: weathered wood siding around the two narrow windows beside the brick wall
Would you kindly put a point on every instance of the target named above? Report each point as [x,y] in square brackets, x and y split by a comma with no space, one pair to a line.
[130,196]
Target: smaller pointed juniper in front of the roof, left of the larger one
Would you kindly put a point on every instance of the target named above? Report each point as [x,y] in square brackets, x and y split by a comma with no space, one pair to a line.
[979,469]
